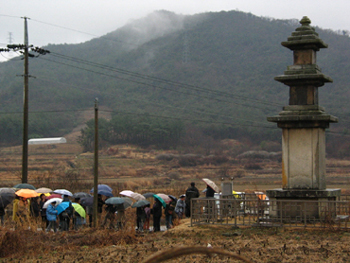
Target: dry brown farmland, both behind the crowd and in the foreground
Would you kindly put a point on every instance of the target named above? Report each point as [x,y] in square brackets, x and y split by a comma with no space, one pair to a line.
[126,167]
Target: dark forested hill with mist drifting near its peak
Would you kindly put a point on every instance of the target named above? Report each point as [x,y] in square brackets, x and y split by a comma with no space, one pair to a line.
[211,69]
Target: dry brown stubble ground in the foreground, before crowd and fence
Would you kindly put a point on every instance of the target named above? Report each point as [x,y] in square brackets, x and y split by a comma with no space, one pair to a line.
[253,244]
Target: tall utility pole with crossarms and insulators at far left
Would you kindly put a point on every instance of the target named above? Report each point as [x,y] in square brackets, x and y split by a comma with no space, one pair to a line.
[24,49]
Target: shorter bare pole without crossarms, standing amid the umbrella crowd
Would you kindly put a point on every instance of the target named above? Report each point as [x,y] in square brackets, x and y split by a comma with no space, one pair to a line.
[95,165]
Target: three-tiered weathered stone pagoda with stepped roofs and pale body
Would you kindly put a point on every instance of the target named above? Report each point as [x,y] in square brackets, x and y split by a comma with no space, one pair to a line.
[303,123]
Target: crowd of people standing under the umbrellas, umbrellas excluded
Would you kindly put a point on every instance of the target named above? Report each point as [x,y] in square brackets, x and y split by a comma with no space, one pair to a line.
[109,215]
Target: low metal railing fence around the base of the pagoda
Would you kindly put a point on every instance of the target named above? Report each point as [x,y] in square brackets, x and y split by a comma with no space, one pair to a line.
[249,210]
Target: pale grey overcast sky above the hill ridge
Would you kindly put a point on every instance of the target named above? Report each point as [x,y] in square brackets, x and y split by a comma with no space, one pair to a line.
[75,21]
